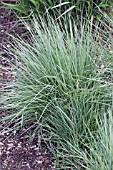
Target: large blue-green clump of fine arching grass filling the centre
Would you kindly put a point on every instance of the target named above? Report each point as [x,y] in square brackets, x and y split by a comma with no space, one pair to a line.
[62,80]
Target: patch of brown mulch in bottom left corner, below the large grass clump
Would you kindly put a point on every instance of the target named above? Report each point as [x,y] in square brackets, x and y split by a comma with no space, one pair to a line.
[19,152]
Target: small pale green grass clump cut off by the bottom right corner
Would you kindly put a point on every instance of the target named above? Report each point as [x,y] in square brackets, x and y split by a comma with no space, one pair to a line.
[101,146]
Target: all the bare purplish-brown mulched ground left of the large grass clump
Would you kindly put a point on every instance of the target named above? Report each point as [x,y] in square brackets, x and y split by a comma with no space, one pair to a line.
[18,152]
